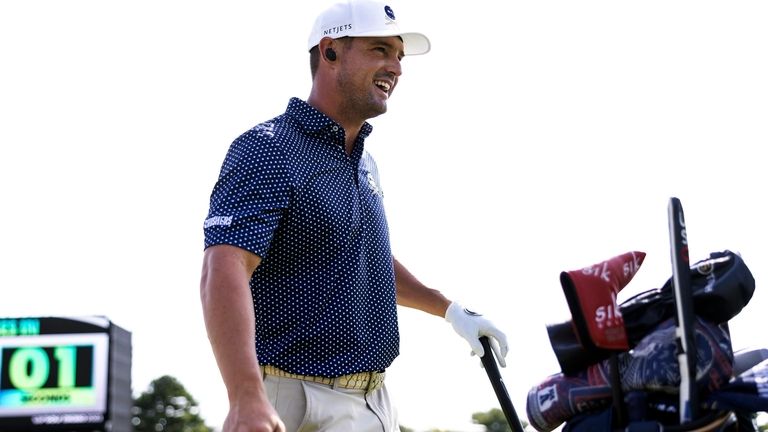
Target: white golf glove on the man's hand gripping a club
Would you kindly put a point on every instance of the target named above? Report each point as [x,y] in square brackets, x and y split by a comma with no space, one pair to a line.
[471,326]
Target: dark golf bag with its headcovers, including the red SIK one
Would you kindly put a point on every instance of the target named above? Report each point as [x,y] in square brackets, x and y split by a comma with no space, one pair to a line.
[618,362]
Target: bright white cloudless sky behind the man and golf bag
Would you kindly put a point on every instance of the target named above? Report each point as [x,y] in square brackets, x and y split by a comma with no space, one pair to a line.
[535,138]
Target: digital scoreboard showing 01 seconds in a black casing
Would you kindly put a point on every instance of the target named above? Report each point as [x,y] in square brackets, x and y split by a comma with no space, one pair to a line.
[64,374]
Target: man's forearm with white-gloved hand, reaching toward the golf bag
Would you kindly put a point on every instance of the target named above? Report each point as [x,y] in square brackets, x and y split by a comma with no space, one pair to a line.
[469,325]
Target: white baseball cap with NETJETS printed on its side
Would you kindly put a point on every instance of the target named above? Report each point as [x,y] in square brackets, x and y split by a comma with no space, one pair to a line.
[364,18]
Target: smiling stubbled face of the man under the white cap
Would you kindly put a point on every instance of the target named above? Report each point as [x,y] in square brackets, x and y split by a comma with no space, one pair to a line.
[369,70]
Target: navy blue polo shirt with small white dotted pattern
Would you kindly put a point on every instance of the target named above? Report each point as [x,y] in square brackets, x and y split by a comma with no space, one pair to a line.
[324,293]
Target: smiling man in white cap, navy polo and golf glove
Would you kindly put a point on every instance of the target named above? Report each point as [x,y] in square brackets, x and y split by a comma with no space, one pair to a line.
[297,247]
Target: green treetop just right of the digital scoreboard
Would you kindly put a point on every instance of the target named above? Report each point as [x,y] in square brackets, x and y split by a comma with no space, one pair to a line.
[166,406]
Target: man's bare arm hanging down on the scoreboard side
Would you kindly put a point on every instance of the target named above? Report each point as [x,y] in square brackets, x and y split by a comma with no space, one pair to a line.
[229,320]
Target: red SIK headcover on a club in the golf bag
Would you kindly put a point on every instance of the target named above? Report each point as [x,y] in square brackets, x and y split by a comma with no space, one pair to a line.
[591,293]
